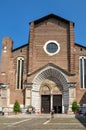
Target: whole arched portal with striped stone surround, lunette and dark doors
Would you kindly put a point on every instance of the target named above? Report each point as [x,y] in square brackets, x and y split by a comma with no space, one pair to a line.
[50,84]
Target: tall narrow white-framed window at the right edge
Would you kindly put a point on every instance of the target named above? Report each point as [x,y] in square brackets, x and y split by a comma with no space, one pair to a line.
[83,72]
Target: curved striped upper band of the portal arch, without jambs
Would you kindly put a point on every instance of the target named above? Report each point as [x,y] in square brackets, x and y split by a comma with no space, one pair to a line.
[52,74]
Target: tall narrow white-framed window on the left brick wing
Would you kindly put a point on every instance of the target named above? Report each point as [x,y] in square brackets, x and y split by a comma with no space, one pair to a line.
[20,69]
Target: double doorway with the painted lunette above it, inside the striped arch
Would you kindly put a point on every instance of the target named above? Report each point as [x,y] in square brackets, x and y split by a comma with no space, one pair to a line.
[51,96]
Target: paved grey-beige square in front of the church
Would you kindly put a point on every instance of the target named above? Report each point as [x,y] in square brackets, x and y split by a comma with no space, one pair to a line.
[42,122]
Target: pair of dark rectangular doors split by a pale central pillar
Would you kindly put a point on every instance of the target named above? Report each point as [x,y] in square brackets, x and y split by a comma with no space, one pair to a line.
[51,101]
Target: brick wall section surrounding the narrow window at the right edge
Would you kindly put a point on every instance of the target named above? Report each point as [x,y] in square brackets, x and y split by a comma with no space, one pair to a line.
[80,93]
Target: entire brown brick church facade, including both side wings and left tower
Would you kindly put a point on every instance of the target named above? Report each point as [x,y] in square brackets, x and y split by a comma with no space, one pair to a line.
[35,57]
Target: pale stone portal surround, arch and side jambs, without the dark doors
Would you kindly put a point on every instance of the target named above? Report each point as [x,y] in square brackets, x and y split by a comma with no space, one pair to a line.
[53,74]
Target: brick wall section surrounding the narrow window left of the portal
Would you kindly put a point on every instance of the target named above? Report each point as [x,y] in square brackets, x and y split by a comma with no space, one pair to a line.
[18,94]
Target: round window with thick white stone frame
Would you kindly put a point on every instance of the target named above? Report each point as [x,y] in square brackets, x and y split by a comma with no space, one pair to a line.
[51,47]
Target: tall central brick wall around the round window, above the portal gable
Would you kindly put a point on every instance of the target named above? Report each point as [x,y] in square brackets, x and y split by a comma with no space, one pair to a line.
[40,33]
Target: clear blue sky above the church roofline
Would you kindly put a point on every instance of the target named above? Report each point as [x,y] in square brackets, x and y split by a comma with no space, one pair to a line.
[15,16]
